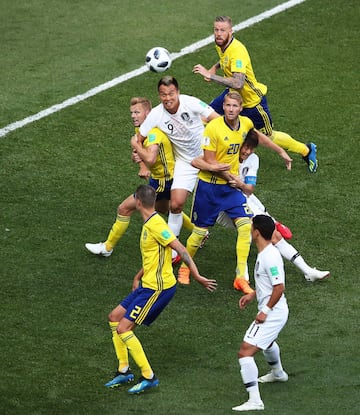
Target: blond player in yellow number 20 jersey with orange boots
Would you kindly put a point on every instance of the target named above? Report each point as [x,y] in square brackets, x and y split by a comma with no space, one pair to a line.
[223,138]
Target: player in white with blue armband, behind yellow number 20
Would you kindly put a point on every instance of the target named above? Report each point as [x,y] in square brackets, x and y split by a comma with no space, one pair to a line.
[246,182]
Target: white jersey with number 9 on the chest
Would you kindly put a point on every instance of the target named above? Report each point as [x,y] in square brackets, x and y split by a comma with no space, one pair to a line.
[184,129]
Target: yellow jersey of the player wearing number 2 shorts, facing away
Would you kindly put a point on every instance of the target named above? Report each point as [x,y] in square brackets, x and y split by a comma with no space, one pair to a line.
[156,254]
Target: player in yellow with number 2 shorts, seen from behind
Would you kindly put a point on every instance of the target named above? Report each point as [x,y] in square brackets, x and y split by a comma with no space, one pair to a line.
[154,289]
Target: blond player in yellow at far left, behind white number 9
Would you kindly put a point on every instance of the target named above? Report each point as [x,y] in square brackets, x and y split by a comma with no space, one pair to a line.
[157,164]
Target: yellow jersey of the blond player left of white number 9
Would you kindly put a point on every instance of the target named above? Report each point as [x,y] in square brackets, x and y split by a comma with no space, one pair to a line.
[163,168]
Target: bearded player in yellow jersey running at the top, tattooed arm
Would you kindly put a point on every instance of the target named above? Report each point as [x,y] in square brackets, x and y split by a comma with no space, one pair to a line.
[235,62]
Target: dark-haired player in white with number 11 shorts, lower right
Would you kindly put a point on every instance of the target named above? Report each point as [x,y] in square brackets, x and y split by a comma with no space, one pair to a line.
[271,317]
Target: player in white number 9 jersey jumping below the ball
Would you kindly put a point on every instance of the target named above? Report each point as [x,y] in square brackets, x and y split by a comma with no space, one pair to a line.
[181,118]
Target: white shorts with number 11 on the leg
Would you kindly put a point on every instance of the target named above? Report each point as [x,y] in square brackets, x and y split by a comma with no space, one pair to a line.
[262,335]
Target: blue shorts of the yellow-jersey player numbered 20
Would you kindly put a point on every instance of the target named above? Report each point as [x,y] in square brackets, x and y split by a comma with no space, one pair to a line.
[211,199]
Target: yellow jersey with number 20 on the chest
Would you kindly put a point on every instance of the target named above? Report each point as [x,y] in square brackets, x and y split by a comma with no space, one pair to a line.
[226,143]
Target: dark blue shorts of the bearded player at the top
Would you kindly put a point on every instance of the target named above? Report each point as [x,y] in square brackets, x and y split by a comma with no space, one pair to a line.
[259,115]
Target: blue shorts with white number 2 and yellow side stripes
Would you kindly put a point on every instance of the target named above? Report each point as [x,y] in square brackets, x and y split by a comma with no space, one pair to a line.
[143,305]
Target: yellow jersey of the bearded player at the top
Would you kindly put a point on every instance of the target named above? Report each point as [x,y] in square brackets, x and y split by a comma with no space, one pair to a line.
[236,58]
